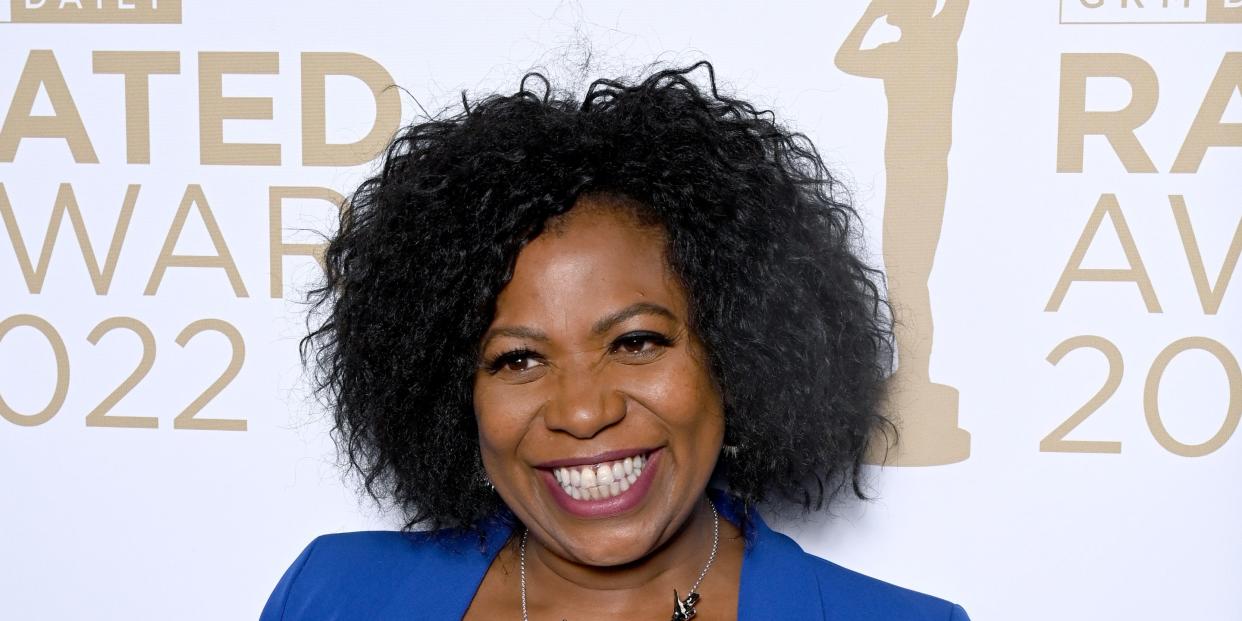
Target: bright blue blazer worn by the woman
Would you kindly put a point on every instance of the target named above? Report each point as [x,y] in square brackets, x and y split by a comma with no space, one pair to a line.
[391,576]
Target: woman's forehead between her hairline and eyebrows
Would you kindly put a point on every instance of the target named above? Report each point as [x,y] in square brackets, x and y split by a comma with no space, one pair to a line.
[596,259]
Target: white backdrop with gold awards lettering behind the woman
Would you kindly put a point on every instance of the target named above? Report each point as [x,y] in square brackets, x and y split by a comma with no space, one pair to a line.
[1071,391]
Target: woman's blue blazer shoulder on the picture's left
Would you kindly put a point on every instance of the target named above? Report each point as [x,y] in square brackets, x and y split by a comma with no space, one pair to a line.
[376,576]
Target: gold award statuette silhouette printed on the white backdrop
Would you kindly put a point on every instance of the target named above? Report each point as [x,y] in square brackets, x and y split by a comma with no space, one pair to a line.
[920,73]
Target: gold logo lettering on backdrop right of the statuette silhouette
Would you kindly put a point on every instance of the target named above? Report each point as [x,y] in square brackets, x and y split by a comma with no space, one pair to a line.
[1205,135]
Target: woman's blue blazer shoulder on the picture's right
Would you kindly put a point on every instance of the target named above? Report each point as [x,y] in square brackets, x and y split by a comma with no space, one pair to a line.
[844,594]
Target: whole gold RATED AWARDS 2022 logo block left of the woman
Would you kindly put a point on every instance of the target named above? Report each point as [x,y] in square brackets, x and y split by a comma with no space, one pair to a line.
[167,201]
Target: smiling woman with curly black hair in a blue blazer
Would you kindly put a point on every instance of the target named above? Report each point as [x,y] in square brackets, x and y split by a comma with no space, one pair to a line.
[579,342]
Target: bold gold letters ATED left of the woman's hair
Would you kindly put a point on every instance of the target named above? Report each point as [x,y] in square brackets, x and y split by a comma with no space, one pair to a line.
[43,73]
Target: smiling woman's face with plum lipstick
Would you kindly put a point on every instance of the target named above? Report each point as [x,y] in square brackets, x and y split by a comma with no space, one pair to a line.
[599,423]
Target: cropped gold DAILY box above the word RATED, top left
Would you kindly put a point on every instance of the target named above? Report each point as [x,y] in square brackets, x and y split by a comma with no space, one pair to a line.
[93,12]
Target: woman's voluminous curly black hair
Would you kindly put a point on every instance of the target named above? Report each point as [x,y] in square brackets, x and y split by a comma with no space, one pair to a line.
[762,237]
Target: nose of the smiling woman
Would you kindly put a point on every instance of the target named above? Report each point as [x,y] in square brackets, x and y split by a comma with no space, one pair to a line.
[584,404]
